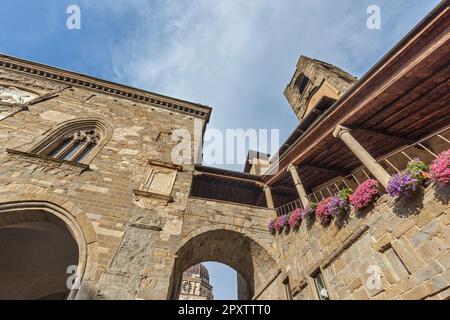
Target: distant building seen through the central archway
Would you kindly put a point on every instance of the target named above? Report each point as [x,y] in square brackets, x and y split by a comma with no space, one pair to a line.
[195,284]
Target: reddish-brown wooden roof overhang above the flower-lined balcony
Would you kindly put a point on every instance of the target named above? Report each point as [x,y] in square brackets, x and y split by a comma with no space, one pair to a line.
[403,98]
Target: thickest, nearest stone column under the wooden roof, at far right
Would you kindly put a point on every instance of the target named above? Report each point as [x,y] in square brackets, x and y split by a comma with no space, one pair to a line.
[369,162]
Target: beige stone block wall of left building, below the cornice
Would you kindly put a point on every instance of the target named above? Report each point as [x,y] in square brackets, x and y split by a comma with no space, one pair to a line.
[104,193]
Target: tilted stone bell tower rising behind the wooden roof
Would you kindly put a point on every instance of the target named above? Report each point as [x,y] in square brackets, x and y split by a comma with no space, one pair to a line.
[316,83]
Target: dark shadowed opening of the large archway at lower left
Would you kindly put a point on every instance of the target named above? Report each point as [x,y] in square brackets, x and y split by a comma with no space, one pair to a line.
[36,249]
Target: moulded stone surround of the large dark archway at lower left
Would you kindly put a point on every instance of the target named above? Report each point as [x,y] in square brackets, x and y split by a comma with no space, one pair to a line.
[27,210]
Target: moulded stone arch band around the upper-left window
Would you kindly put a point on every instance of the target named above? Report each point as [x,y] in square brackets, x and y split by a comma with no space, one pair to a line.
[104,128]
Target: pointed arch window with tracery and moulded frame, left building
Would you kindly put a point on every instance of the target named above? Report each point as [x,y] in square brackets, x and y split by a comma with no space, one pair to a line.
[75,141]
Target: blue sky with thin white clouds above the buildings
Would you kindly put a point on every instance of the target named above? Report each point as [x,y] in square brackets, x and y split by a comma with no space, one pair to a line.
[234,55]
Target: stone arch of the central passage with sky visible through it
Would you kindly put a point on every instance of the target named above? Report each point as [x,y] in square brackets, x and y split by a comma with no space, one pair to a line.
[229,245]
